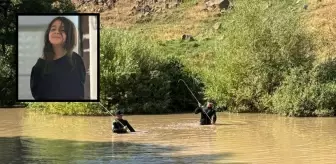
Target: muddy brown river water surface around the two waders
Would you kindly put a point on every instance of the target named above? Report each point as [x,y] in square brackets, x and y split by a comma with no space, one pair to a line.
[237,138]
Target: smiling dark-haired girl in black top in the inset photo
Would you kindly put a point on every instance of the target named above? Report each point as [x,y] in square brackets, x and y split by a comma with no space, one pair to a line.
[60,73]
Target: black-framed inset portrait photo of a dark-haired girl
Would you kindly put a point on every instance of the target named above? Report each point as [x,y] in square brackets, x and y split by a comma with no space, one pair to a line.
[58,57]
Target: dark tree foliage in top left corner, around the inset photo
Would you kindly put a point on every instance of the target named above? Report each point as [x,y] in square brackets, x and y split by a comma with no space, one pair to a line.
[8,36]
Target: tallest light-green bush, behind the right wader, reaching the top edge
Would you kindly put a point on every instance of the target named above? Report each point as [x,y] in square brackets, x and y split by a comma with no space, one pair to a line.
[260,41]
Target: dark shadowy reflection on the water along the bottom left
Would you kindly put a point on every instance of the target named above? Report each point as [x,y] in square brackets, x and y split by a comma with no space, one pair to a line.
[31,150]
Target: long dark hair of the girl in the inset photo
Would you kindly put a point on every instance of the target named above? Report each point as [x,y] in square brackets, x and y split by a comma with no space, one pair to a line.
[69,44]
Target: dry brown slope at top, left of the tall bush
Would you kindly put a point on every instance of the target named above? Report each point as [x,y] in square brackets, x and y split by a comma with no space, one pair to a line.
[165,24]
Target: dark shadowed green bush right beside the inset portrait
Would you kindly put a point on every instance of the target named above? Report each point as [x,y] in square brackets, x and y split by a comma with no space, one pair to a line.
[141,80]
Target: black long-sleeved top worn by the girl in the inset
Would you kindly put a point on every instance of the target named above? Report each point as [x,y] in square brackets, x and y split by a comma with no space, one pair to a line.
[61,79]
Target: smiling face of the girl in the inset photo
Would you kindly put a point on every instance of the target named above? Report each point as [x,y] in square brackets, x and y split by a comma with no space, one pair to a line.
[57,34]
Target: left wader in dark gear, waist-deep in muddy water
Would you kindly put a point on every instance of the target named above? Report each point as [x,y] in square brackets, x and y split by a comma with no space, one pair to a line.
[120,125]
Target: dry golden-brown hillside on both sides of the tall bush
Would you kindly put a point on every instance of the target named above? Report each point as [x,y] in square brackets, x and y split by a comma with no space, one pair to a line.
[169,19]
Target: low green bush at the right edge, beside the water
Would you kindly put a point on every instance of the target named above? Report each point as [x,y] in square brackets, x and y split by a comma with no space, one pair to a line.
[307,92]
